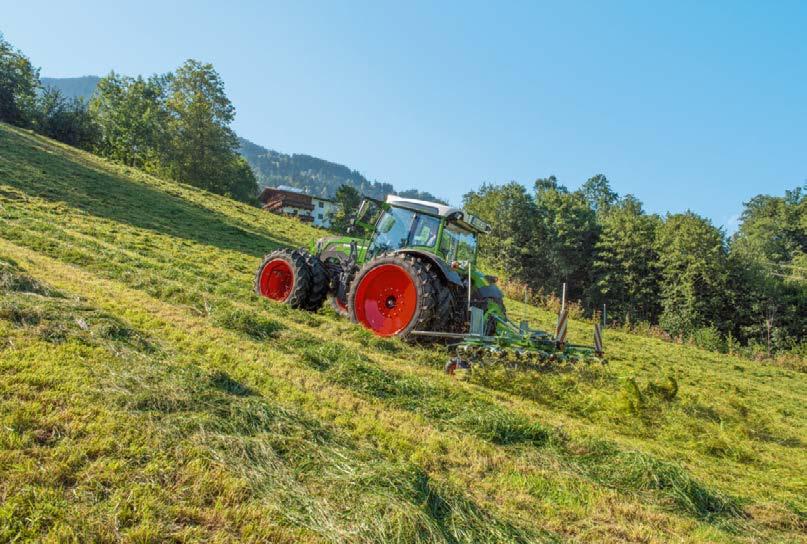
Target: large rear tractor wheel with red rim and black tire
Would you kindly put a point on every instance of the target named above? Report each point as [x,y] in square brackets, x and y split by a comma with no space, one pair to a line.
[393,295]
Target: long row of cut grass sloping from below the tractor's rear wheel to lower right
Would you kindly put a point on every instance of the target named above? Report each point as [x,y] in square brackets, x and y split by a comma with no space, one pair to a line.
[626,471]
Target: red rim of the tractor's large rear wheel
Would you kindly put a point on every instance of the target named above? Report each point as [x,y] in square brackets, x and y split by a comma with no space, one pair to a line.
[386,300]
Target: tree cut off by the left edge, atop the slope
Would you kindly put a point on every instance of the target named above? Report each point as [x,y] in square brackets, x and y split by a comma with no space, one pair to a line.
[19,84]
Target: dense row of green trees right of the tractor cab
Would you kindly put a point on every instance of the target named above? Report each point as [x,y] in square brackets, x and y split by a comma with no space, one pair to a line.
[678,273]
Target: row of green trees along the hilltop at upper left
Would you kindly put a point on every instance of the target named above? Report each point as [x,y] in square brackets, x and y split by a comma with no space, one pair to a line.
[175,125]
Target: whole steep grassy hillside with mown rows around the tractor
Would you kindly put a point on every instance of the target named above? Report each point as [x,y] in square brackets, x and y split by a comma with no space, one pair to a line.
[147,395]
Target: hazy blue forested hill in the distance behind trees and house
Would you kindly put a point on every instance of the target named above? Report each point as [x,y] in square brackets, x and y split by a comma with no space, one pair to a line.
[316,176]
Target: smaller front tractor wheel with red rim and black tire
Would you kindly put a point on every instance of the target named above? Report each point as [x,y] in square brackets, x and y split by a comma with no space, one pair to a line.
[295,287]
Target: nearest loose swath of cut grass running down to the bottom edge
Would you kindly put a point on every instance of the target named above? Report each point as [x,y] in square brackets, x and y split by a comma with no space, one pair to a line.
[277,449]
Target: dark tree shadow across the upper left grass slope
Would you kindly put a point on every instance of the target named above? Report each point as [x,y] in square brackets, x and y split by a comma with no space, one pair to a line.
[38,172]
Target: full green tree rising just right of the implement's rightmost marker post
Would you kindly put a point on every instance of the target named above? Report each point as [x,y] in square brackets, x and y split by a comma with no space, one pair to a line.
[625,265]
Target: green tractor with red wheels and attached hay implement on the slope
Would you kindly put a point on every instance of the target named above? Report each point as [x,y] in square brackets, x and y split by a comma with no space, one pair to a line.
[411,274]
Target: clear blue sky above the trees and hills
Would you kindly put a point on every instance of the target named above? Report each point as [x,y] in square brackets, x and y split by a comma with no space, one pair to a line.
[697,105]
